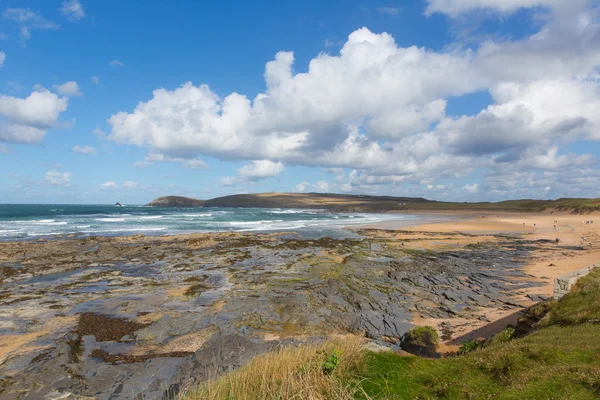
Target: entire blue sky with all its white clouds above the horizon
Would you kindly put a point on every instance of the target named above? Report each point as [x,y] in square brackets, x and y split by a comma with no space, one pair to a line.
[457,100]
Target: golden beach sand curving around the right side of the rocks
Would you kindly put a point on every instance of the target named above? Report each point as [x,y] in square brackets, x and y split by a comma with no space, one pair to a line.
[545,264]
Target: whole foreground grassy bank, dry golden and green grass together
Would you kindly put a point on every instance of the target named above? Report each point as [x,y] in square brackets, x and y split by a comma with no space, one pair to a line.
[558,360]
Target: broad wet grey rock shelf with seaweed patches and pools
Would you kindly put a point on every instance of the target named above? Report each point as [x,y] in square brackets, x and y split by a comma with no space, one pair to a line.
[133,317]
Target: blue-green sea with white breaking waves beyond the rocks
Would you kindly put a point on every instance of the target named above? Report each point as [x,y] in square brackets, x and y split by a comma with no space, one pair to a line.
[22,222]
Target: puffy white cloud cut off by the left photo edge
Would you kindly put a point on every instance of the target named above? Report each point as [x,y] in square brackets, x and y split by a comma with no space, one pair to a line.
[26,120]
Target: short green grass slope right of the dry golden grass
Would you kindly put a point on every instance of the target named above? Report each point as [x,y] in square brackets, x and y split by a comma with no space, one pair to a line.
[552,363]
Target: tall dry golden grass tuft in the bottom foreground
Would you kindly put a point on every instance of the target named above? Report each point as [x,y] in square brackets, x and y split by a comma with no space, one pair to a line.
[289,373]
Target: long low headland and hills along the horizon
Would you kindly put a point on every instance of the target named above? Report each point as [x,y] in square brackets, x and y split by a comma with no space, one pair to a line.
[364,203]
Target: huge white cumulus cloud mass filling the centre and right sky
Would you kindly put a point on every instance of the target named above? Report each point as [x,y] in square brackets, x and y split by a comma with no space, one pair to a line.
[380,109]
